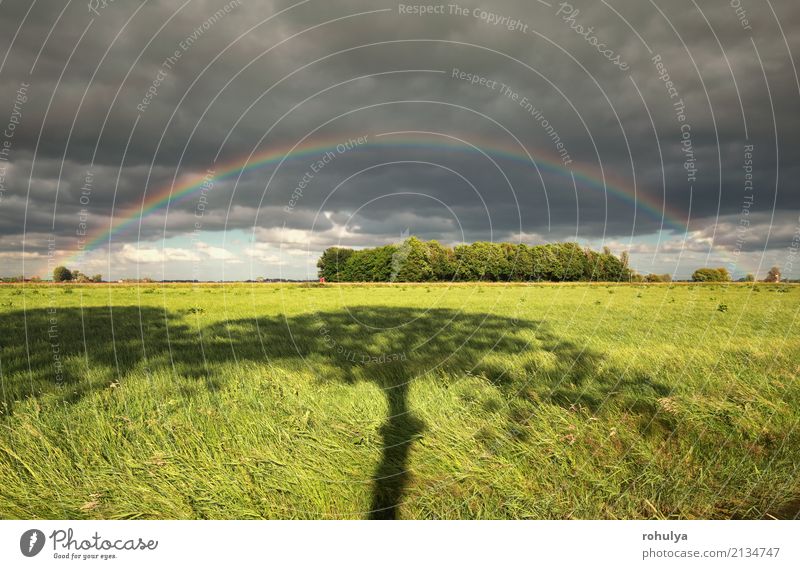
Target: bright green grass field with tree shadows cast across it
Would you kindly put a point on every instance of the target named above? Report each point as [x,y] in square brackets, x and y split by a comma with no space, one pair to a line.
[459,401]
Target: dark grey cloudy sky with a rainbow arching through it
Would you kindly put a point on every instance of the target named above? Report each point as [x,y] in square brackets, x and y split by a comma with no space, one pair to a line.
[230,140]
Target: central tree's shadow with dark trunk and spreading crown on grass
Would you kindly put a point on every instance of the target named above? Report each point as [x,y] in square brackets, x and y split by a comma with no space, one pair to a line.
[391,346]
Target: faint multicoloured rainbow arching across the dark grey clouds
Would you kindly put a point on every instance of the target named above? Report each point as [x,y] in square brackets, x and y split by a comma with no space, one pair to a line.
[548,162]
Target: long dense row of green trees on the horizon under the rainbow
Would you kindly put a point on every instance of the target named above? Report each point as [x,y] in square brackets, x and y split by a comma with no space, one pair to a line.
[415,260]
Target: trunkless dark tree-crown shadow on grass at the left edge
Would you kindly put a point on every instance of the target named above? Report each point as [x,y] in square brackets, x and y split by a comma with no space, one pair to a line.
[66,353]
